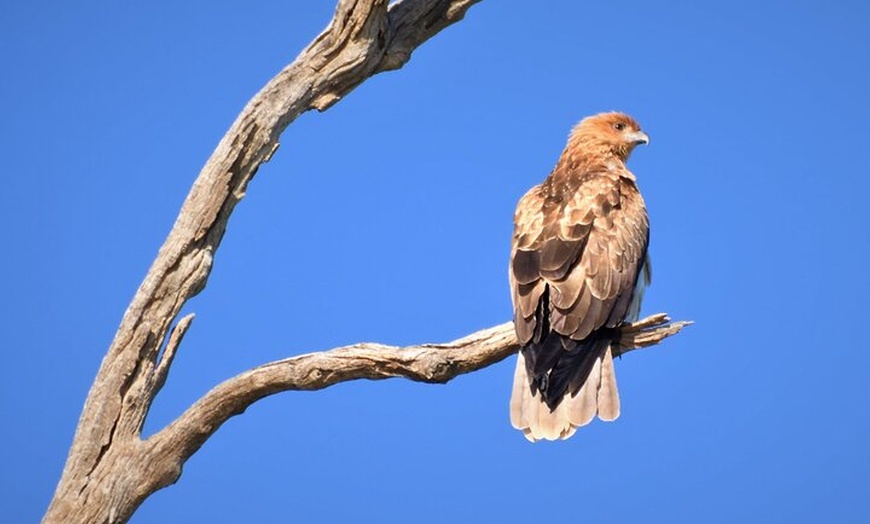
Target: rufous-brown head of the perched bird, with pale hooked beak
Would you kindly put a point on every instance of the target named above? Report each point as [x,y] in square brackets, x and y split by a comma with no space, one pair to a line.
[616,133]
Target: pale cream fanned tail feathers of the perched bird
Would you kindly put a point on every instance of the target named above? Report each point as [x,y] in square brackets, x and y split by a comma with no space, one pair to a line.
[598,395]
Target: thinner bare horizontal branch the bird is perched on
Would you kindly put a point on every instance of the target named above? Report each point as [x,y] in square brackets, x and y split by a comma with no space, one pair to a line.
[434,363]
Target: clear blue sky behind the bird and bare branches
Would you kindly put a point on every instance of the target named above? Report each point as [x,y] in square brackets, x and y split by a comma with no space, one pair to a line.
[387,218]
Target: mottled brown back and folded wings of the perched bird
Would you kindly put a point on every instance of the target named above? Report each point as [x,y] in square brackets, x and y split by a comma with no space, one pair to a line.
[582,245]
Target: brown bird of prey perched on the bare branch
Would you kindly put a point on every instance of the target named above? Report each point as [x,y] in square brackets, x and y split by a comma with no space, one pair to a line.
[577,271]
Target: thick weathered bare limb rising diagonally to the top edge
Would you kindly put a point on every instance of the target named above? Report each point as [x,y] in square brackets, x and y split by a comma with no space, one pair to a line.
[363,38]
